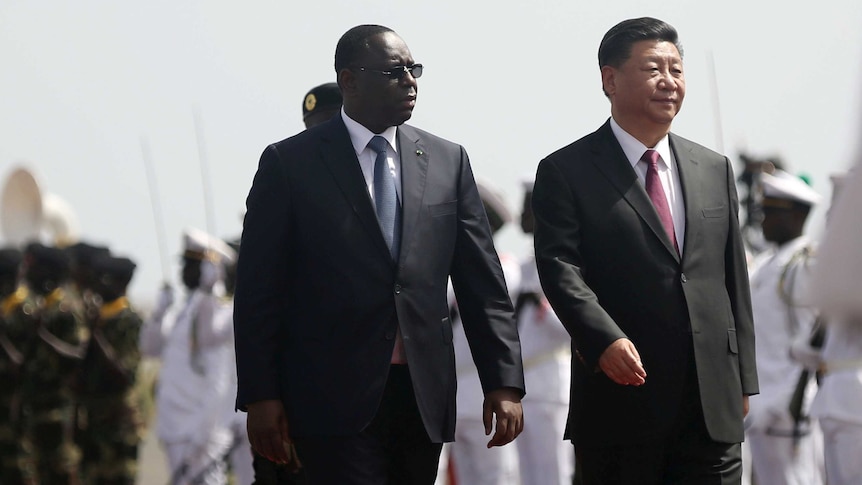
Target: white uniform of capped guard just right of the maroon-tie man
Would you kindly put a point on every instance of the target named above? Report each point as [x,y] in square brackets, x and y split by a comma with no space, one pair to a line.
[782,314]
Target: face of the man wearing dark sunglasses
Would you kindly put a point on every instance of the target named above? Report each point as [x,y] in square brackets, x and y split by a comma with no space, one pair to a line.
[380,86]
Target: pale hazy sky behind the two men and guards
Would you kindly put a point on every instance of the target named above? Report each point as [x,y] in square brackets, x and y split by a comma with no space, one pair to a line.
[81,83]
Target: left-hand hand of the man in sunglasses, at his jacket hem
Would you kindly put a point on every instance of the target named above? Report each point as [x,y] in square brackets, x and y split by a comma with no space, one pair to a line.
[268,431]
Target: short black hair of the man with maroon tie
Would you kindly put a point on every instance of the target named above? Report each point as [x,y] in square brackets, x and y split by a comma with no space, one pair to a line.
[616,45]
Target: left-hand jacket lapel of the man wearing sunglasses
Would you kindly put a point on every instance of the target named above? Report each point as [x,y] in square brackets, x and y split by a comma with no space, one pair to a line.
[340,158]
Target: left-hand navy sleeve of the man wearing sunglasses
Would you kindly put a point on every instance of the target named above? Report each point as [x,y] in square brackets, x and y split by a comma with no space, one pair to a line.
[261,288]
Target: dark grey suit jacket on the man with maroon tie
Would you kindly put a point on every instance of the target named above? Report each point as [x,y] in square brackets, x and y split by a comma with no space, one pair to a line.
[610,271]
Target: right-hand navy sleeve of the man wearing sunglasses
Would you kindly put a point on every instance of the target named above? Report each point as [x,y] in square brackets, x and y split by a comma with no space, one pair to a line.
[480,288]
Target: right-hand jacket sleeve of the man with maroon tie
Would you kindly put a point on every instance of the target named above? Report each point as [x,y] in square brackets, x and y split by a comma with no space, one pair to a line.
[736,281]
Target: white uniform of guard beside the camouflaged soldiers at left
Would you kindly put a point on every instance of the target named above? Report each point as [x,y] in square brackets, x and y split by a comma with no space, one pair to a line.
[190,416]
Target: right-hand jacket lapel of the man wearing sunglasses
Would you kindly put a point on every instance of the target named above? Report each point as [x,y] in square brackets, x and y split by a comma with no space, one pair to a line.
[414,168]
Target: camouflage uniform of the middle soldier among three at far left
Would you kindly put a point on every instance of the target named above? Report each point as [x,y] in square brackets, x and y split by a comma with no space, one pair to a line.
[47,389]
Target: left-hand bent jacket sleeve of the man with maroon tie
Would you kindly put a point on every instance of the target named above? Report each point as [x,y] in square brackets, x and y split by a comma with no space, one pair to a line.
[557,239]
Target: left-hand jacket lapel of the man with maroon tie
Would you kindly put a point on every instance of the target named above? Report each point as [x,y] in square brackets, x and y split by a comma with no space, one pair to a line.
[612,162]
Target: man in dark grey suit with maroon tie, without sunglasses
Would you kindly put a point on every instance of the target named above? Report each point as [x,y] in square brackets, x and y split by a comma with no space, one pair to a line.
[643,262]
